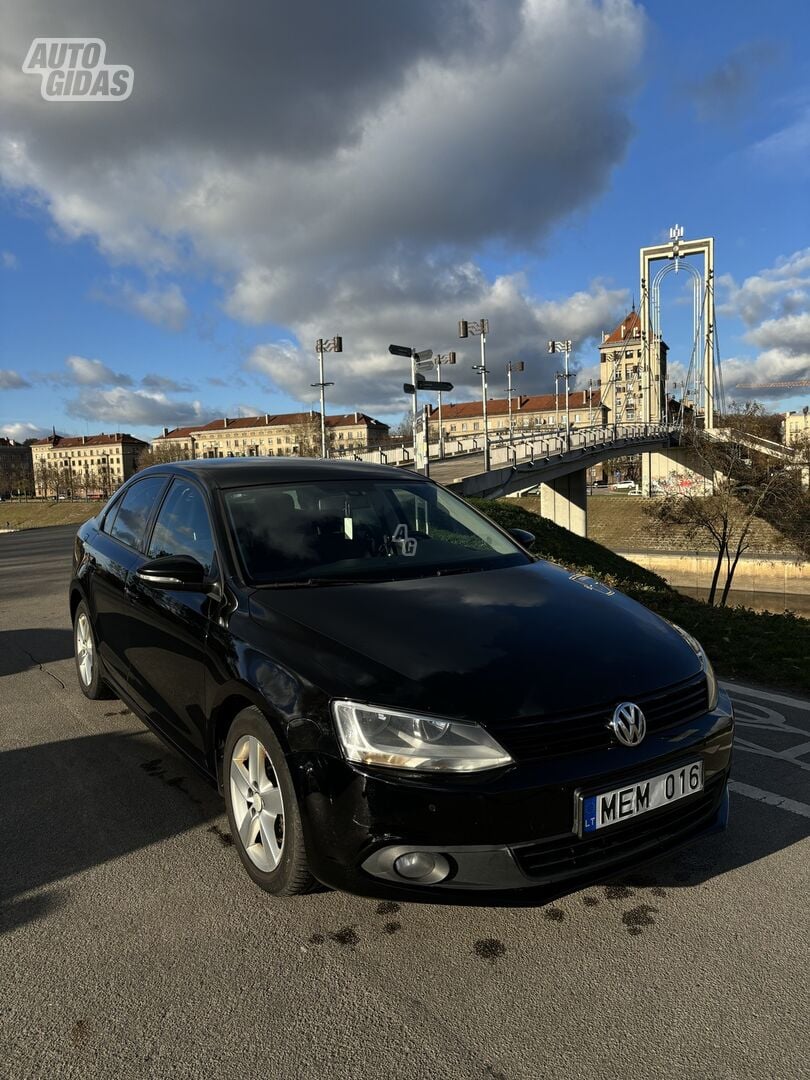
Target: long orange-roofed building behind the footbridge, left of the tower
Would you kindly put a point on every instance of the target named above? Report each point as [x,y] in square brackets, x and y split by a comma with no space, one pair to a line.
[530,412]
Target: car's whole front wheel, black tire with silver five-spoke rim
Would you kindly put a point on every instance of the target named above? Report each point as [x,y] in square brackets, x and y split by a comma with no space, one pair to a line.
[263,808]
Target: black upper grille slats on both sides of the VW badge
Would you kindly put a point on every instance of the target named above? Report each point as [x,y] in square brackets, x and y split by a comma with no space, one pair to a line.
[577,732]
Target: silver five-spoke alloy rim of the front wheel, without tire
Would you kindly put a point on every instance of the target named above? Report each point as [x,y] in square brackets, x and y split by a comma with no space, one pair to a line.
[258,803]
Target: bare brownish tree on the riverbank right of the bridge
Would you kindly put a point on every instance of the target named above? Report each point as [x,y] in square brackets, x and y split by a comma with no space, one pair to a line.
[744,490]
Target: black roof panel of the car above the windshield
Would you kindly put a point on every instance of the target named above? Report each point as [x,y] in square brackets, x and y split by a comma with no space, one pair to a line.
[232,472]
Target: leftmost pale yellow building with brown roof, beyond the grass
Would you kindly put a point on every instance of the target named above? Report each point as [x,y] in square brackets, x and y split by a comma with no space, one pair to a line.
[91,466]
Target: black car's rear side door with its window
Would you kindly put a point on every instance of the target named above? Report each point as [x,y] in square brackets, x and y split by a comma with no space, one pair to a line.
[117,551]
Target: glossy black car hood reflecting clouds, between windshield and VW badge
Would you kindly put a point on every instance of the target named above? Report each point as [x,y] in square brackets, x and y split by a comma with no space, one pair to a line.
[528,641]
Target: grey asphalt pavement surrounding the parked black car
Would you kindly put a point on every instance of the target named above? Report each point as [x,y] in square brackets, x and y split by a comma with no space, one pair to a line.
[132,943]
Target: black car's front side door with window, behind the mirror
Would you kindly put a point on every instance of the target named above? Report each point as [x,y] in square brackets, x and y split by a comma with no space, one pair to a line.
[168,660]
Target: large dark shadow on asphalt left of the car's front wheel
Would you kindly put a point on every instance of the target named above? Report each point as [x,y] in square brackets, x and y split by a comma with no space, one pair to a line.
[70,806]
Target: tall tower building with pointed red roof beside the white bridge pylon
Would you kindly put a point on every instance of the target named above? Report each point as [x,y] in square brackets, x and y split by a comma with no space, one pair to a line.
[622,376]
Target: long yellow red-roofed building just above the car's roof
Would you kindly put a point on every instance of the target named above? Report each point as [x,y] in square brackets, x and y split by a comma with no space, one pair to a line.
[272,436]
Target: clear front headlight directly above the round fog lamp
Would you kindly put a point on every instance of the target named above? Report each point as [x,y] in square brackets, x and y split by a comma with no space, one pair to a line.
[373,736]
